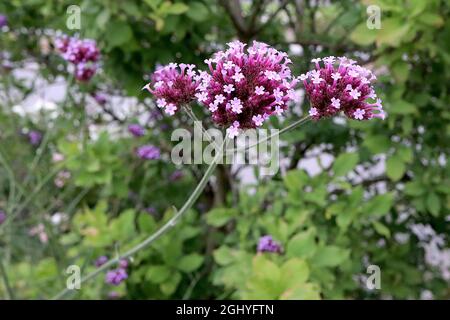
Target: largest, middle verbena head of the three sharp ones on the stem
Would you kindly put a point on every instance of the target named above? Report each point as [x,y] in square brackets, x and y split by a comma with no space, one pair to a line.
[245,87]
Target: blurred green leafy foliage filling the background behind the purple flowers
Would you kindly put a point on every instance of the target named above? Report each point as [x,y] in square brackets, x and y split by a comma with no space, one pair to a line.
[382,199]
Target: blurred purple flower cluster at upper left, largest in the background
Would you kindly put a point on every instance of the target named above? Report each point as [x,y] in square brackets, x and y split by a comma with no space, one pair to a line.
[83,53]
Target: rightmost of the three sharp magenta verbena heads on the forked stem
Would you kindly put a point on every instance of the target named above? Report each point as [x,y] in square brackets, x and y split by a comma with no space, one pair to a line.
[341,85]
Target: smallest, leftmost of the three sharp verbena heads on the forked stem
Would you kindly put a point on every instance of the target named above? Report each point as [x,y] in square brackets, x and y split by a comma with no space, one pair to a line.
[173,86]
